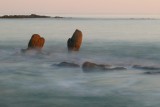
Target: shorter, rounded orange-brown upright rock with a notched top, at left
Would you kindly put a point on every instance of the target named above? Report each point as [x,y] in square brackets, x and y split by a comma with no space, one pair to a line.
[36,42]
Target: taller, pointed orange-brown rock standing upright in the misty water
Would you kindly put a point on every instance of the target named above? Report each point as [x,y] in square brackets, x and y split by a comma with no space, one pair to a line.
[74,43]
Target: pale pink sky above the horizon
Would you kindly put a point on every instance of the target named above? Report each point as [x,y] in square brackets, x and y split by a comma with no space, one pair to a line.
[80,6]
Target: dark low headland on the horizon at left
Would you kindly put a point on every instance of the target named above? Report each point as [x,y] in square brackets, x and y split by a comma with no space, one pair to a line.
[28,16]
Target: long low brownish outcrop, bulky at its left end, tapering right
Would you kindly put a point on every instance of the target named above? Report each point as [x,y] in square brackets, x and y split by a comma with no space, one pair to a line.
[91,67]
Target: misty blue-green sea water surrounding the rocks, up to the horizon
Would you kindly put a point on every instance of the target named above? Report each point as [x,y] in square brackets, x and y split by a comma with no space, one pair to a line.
[31,80]
